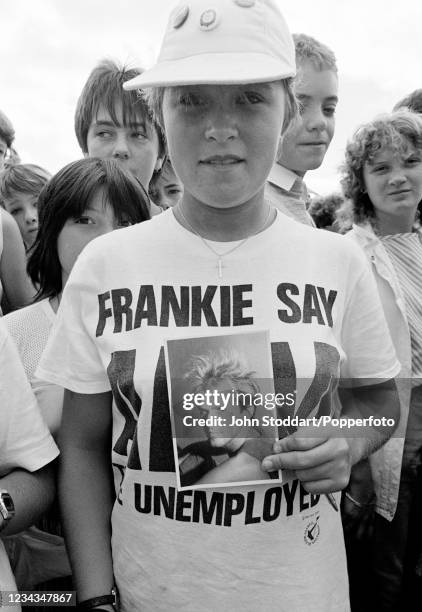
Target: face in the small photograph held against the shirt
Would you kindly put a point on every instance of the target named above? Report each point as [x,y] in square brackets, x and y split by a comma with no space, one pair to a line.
[227,436]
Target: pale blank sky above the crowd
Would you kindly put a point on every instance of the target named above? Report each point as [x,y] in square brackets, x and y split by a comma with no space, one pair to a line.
[48,48]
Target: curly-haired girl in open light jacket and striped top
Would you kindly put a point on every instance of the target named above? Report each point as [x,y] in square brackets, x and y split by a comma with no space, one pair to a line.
[383,181]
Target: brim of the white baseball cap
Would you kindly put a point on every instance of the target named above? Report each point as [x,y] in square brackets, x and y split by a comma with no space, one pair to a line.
[214,69]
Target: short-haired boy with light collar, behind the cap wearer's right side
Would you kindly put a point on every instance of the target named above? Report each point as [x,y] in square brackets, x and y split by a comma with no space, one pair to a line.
[305,144]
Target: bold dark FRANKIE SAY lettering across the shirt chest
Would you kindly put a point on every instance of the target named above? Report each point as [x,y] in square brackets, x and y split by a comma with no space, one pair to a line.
[122,310]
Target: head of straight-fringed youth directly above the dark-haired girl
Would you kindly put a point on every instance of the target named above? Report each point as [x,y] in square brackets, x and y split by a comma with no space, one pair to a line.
[117,124]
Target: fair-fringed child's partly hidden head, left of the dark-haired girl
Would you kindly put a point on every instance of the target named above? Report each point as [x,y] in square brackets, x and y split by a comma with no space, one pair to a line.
[20,187]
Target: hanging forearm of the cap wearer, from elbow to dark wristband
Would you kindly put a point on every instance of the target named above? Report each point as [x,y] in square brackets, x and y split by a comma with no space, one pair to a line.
[86,499]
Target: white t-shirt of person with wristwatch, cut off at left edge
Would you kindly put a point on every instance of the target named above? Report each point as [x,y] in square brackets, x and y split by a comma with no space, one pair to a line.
[25,441]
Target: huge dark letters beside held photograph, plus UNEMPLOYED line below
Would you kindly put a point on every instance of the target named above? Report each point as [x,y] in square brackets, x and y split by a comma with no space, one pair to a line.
[214,507]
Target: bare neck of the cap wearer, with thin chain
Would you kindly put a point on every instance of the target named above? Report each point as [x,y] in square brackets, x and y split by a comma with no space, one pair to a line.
[224,224]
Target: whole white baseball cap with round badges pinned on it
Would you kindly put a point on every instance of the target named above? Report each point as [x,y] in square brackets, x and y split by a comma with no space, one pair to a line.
[222,42]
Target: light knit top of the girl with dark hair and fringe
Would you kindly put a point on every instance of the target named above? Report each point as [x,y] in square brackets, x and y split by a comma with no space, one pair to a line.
[30,328]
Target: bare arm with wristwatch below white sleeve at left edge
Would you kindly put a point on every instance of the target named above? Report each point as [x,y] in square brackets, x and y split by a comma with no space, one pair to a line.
[32,494]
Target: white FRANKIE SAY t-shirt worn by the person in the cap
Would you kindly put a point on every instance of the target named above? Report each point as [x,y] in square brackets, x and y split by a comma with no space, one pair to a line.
[248,548]
